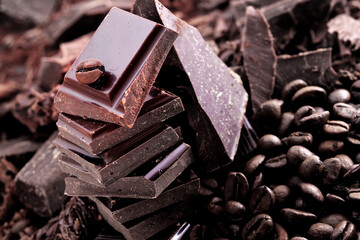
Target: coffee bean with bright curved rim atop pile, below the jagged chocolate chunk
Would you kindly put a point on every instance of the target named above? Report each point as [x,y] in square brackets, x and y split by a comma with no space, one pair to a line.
[312,95]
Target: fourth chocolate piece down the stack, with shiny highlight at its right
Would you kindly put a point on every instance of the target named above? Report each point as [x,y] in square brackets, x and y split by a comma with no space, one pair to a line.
[133,186]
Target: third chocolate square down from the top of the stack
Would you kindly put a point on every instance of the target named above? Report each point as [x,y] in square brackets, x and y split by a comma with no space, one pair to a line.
[123,158]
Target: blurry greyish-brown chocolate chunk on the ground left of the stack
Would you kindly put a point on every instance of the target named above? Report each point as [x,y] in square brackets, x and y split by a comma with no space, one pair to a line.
[40,183]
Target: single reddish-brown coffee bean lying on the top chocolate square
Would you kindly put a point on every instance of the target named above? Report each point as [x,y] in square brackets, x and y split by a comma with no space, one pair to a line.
[89,71]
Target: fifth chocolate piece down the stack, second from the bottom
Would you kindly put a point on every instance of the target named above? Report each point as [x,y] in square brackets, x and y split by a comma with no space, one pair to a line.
[134,208]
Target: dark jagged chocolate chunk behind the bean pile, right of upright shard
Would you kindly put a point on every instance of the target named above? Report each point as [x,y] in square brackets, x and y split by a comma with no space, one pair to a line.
[314,67]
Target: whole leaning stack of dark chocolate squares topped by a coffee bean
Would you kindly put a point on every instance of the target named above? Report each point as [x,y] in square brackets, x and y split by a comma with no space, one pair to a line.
[113,135]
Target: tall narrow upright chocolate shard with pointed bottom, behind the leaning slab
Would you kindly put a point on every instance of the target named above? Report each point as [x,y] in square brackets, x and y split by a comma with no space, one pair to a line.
[259,57]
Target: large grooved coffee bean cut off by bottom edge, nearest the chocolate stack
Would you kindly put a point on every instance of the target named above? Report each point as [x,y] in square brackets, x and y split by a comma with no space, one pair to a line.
[258,228]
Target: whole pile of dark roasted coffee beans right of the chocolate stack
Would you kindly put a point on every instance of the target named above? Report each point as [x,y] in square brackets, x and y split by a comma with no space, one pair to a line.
[302,182]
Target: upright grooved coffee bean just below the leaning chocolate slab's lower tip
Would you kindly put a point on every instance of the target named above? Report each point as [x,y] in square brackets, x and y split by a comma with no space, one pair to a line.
[236,187]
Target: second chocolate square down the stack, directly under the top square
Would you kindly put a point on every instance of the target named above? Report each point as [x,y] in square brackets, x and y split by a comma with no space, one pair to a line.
[95,137]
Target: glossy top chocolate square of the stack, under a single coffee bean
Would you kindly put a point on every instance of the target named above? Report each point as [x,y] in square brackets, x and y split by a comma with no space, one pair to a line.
[130,69]
